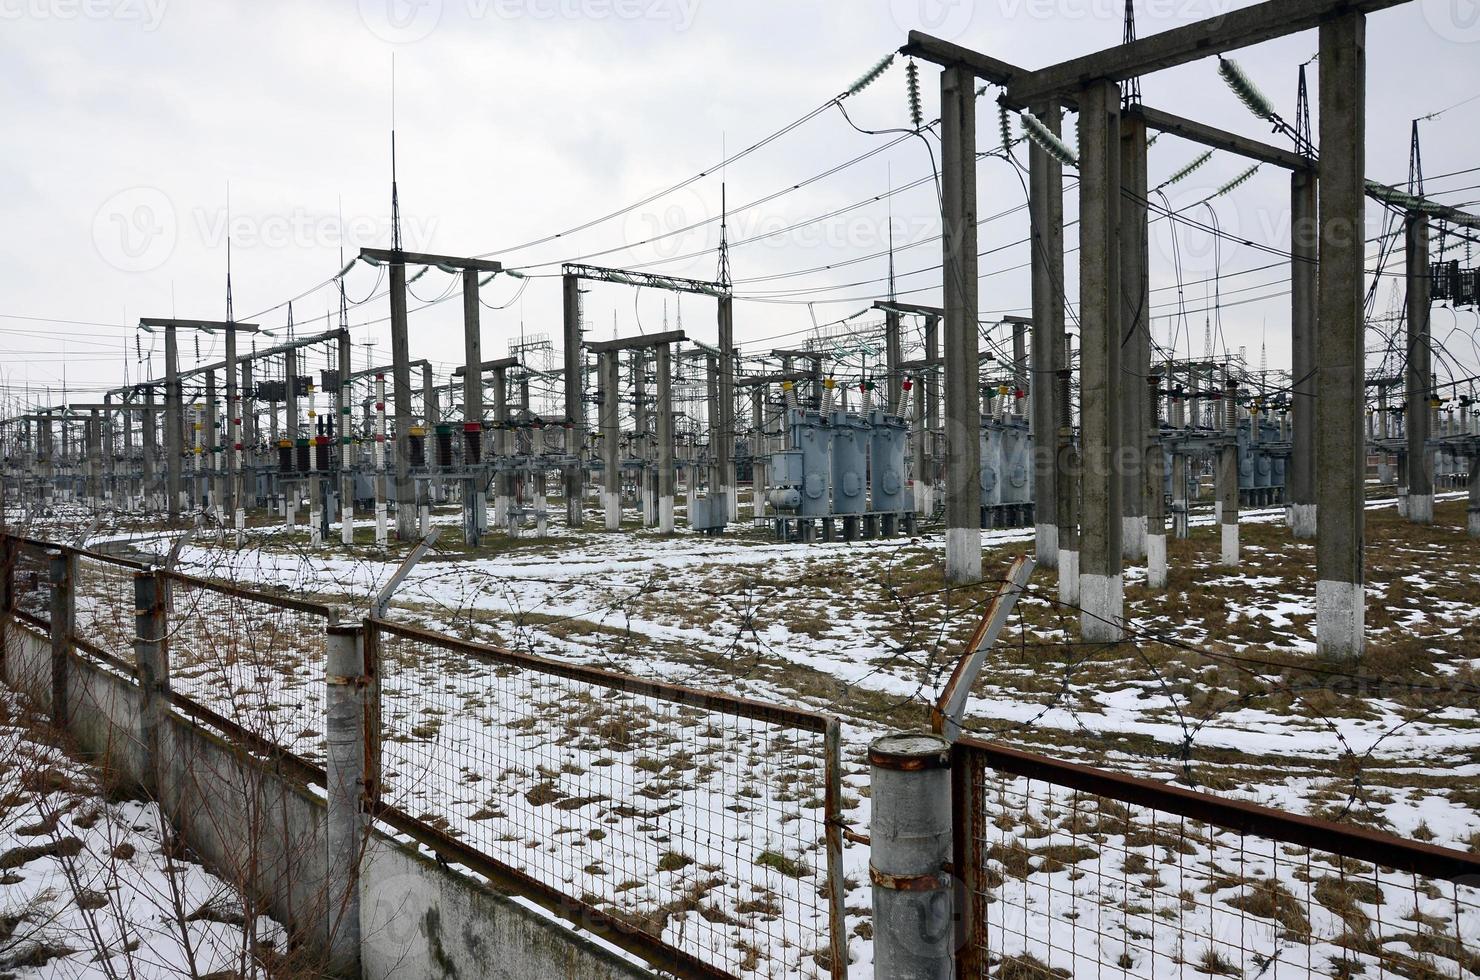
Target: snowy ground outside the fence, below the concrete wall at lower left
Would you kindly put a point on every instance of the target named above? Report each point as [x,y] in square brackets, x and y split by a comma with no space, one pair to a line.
[90,890]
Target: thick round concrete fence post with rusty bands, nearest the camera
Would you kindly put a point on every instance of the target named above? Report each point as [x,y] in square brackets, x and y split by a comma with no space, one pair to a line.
[911,828]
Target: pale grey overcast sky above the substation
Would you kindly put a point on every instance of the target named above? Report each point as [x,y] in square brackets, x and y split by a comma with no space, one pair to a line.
[127,121]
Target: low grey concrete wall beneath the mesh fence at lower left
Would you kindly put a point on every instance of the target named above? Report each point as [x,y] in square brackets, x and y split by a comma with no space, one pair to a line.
[263,830]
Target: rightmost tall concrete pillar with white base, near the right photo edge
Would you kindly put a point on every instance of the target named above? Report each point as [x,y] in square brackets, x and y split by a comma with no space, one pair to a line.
[1419,372]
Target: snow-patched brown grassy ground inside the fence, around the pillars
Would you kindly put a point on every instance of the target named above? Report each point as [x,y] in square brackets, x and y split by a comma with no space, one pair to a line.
[1219,689]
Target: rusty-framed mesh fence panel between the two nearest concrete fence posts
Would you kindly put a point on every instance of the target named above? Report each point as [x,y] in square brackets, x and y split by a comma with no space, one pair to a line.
[699,831]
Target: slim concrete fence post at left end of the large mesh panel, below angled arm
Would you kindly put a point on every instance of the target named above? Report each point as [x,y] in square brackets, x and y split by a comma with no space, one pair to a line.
[346,785]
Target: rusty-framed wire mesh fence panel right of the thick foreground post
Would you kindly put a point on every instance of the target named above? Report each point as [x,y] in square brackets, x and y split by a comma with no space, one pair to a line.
[1077,873]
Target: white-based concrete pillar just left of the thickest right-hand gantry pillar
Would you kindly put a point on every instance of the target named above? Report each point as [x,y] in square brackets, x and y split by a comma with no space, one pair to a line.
[1305,252]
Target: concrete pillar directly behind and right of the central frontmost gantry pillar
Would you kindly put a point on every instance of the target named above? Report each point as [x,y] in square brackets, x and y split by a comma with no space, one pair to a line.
[1136,331]
